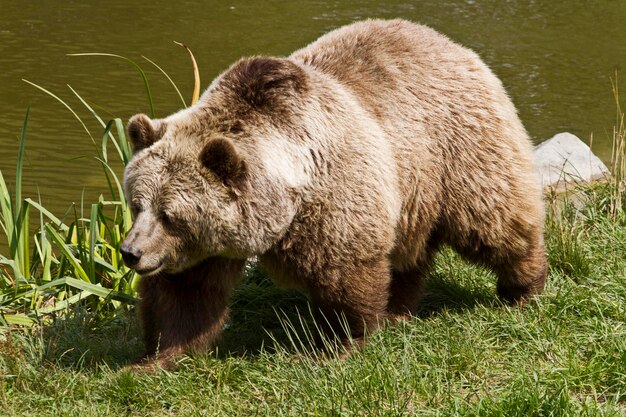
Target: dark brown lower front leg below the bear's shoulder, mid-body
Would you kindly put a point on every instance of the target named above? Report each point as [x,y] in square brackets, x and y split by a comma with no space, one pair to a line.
[357,293]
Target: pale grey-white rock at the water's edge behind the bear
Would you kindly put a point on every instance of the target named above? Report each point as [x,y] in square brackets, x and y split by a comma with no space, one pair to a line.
[565,159]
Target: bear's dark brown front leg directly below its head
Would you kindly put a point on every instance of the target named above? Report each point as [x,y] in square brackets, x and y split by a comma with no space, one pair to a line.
[185,312]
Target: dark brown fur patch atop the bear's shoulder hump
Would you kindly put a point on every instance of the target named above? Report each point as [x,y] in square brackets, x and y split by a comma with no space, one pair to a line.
[261,80]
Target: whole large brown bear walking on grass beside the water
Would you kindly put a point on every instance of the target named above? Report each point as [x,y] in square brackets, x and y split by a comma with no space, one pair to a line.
[344,168]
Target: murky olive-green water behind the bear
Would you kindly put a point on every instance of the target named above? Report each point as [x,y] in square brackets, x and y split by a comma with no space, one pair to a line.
[556,59]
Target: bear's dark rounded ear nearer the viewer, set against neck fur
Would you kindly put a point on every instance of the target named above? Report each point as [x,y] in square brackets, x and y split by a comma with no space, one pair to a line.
[221,158]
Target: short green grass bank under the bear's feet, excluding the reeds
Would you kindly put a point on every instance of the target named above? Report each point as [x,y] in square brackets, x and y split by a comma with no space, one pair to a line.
[465,354]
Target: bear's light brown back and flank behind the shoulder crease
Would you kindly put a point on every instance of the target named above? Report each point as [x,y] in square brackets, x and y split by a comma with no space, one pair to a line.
[455,133]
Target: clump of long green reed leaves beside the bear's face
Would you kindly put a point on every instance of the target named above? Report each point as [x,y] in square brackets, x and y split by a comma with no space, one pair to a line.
[74,259]
